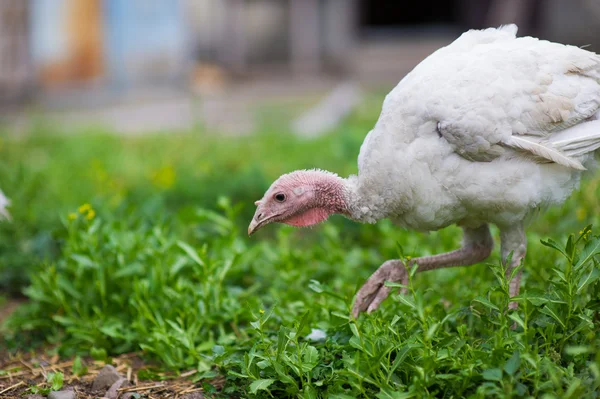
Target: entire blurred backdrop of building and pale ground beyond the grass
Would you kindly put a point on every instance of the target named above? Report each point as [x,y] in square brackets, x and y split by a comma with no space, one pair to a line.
[142,65]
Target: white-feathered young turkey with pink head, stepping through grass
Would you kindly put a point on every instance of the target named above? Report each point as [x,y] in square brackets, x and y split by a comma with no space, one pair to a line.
[490,129]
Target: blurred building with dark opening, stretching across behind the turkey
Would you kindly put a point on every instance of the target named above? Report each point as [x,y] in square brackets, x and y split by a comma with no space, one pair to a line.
[117,45]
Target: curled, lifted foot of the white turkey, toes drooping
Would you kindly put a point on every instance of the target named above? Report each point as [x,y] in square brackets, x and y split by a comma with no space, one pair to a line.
[374,291]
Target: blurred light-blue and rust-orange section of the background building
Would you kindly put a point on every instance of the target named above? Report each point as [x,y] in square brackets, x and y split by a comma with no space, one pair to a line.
[107,41]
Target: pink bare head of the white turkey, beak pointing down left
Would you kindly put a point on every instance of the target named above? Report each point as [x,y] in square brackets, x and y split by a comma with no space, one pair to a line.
[300,198]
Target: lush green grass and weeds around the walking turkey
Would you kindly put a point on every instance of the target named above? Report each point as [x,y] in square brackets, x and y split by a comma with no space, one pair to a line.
[163,266]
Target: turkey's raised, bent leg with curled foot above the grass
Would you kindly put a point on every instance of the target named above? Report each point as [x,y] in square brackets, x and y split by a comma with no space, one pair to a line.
[477,246]
